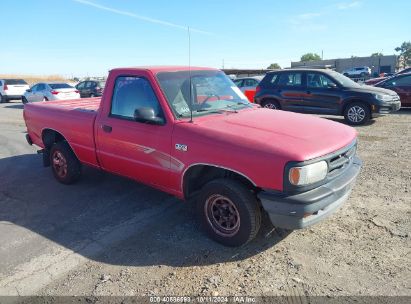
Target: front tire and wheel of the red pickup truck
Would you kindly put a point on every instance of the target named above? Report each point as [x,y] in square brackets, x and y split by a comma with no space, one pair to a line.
[237,202]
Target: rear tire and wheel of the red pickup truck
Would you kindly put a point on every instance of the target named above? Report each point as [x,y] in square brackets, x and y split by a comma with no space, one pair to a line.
[64,163]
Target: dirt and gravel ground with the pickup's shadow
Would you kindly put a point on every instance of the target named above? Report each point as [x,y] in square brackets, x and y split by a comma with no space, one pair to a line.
[110,236]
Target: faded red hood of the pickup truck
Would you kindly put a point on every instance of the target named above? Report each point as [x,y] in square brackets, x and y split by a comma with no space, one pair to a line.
[299,137]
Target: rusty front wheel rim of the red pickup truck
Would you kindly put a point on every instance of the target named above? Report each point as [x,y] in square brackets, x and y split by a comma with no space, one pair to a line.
[222,215]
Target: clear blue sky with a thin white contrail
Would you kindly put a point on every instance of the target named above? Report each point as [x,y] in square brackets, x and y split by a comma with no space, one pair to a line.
[89,37]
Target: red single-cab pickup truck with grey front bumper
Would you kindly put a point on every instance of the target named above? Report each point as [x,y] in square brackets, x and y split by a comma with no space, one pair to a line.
[193,134]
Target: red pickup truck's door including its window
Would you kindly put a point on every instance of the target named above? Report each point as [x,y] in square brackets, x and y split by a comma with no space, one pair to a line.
[139,150]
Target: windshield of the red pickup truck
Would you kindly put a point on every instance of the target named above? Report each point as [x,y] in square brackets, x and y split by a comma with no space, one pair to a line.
[212,92]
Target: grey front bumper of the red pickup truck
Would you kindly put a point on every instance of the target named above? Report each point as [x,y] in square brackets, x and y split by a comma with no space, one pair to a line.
[307,208]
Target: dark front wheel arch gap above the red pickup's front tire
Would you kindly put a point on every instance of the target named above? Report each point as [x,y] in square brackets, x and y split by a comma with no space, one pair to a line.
[197,175]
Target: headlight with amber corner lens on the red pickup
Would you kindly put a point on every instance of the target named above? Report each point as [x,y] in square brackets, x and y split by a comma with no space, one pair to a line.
[309,174]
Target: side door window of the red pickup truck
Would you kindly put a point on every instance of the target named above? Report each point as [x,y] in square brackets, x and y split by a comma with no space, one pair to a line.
[131,93]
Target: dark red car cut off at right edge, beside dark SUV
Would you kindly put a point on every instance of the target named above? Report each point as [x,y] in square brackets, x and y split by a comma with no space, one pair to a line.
[401,84]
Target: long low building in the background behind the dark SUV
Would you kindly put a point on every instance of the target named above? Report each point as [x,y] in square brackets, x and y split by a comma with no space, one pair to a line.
[378,64]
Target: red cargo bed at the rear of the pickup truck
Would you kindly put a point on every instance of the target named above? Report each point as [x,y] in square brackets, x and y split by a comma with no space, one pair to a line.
[73,119]
